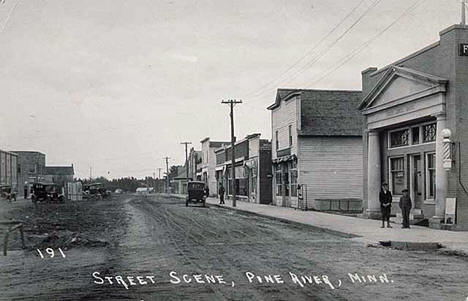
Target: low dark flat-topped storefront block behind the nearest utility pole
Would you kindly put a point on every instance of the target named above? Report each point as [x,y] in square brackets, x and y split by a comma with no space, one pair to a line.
[252,169]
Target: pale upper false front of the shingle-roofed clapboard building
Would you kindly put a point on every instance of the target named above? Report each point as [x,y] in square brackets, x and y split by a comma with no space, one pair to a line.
[281,118]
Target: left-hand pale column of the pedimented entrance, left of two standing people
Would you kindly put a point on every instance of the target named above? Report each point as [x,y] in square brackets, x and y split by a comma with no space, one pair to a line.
[373,174]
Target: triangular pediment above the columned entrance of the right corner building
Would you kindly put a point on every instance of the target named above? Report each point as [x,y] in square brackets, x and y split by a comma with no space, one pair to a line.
[400,83]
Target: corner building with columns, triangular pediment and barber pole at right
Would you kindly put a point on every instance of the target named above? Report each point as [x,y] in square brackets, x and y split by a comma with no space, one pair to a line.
[416,132]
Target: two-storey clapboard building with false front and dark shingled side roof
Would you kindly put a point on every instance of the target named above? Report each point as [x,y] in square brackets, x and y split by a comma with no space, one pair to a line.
[316,147]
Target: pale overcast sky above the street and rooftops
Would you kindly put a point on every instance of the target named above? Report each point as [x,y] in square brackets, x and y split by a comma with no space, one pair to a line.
[117,85]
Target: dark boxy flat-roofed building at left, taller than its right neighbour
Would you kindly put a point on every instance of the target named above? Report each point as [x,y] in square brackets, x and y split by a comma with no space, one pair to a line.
[31,168]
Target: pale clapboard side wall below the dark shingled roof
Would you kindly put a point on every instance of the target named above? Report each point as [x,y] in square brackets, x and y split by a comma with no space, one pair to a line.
[331,167]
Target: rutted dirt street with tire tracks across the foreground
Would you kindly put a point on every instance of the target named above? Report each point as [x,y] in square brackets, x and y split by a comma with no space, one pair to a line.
[156,248]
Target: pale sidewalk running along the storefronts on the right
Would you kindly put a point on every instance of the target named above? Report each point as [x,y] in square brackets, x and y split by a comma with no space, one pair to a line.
[366,231]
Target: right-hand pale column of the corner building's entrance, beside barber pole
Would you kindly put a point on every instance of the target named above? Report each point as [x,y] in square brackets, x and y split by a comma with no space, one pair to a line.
[441,174]
